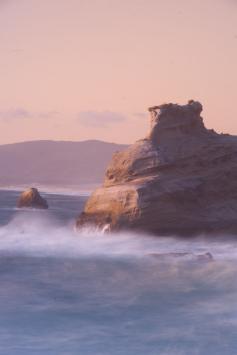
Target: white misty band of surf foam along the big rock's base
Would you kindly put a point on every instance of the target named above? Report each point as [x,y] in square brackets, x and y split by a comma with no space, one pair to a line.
[39,234]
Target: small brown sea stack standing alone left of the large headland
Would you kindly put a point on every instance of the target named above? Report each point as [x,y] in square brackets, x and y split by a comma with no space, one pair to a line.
[32,199]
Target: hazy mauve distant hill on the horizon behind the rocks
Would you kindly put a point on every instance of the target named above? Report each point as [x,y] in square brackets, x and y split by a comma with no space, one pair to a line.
[58,163]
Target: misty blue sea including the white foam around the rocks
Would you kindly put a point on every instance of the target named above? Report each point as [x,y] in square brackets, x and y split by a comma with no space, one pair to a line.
[66,293]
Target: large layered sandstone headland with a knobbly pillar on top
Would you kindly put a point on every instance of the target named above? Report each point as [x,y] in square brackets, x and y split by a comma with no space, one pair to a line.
[180,179]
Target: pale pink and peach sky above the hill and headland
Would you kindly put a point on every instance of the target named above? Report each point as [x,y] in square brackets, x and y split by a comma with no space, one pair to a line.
[89,69]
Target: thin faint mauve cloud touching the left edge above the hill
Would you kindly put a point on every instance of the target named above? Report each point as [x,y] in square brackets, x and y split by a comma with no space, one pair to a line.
[15,114]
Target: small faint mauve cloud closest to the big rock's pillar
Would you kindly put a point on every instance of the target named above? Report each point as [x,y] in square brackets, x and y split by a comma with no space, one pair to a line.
[100,118]
